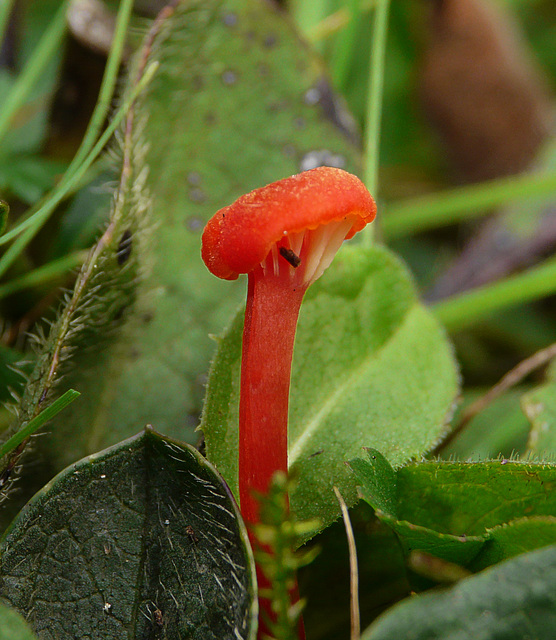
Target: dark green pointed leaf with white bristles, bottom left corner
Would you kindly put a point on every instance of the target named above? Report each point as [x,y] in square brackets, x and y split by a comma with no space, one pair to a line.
[141,540]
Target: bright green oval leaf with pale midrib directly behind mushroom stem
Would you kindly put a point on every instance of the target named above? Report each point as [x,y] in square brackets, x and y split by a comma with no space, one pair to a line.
[371,368]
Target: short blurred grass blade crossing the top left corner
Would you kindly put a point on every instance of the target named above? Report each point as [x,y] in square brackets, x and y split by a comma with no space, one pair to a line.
[46,49]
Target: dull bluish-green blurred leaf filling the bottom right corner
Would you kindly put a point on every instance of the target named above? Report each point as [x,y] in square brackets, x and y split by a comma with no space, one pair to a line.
[511,601]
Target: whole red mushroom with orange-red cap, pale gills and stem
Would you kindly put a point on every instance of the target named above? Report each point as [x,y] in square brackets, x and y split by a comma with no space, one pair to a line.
[284,236]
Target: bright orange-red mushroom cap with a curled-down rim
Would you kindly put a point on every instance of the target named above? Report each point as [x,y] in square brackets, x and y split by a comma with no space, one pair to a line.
[239,237]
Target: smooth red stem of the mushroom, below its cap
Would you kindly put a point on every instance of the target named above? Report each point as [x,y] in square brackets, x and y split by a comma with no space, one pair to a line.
[268,338]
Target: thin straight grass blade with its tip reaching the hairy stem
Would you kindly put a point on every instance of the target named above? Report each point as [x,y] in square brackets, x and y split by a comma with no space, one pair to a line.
[35,223]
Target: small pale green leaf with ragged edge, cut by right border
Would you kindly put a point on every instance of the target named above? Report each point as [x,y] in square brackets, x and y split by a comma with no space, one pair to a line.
[539,406]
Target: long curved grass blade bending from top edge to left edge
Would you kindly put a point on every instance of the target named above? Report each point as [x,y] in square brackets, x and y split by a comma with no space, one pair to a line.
[100,112]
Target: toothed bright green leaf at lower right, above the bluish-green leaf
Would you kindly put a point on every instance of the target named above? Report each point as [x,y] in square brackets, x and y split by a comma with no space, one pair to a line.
[474,514]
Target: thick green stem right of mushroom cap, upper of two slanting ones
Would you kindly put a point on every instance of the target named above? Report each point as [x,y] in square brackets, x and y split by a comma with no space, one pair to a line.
[463,203]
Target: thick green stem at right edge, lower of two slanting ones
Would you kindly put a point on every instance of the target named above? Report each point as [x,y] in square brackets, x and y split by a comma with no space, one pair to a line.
[466,309]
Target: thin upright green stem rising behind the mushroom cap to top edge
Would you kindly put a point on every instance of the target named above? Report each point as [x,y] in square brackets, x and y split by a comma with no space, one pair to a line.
[374,102]
